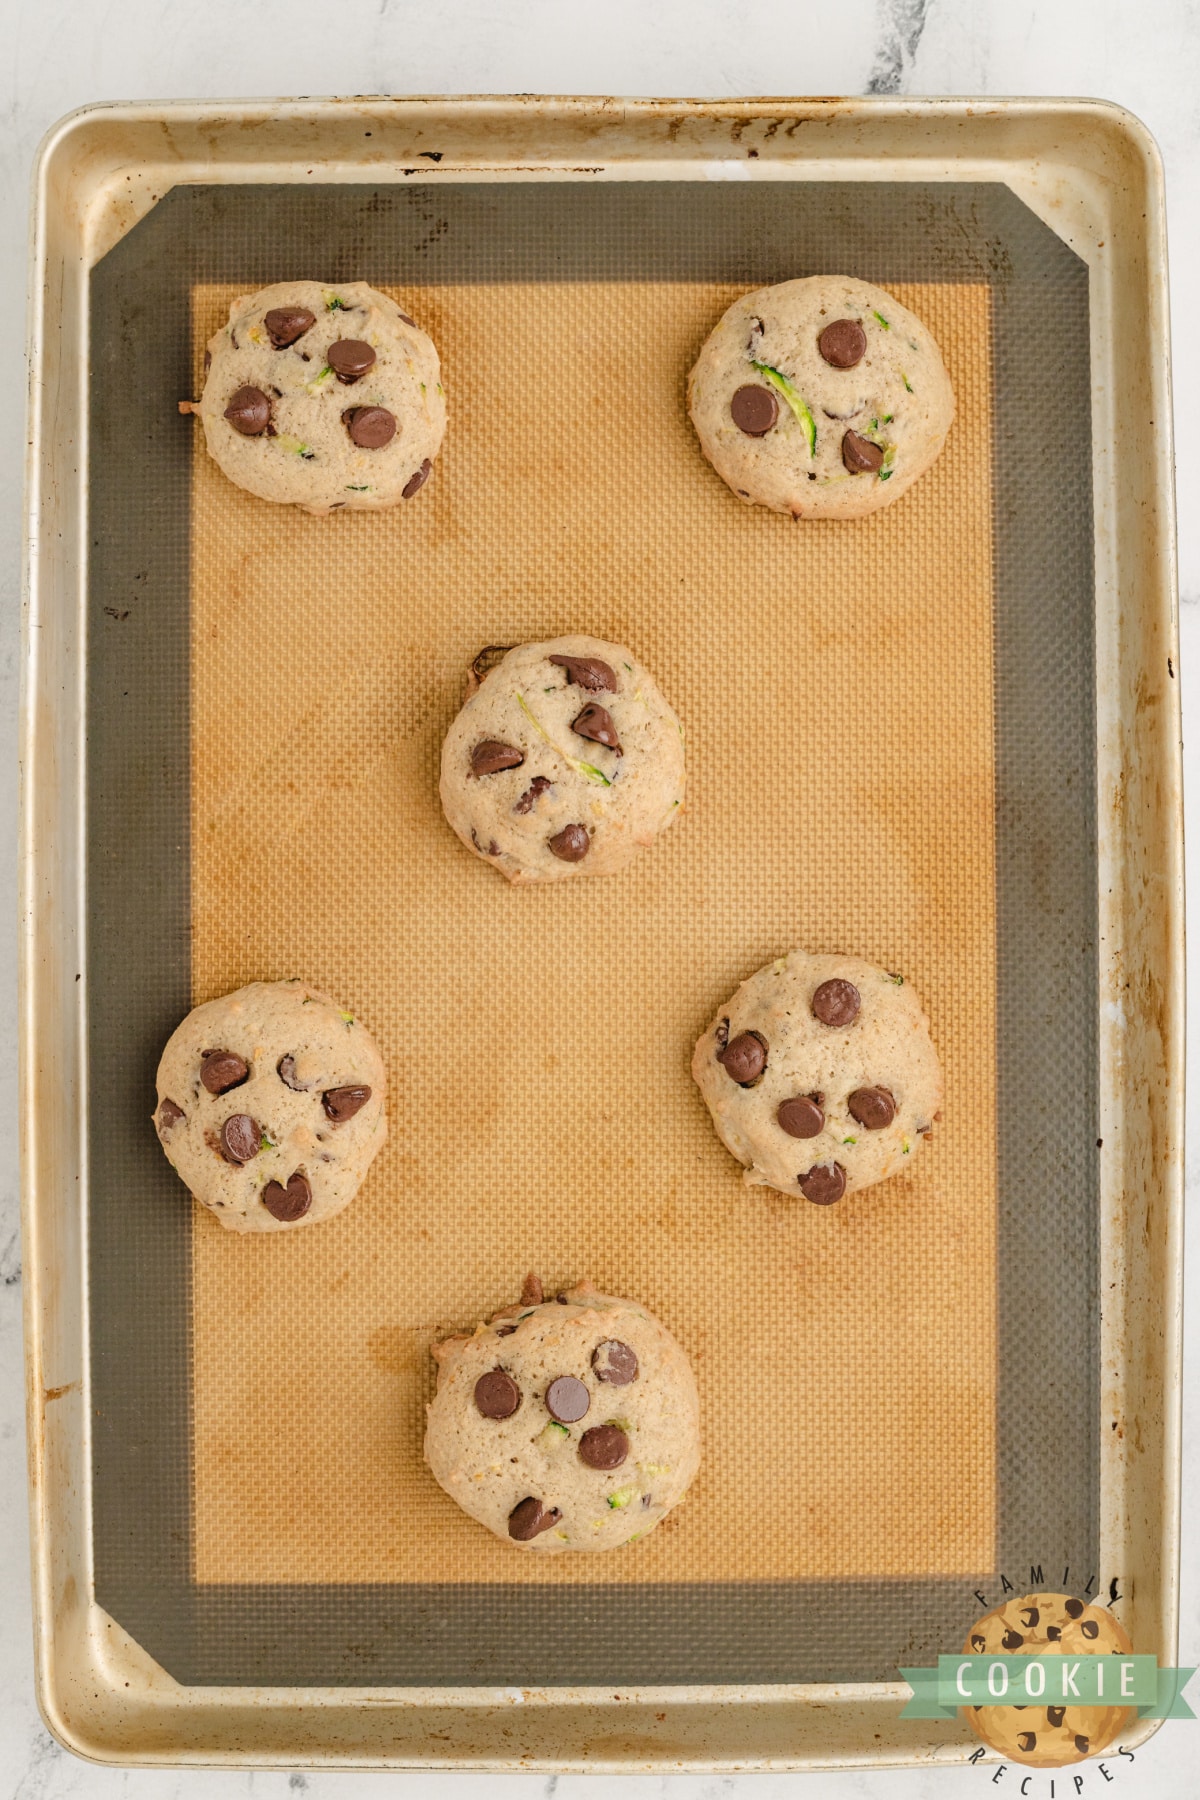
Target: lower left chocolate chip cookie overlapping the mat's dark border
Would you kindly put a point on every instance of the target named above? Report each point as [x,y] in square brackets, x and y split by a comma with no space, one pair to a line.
[271,1106]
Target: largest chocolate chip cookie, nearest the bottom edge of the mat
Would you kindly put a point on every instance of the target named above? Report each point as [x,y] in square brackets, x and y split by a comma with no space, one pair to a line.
[566,1425]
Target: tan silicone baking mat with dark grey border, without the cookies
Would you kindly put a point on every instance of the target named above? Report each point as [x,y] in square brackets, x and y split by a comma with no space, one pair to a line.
[863,717]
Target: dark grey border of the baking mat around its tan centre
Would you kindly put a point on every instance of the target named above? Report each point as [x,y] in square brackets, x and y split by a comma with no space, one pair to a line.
[139,931]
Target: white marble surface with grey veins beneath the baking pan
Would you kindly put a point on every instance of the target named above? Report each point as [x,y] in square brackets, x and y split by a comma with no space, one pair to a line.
[64,53]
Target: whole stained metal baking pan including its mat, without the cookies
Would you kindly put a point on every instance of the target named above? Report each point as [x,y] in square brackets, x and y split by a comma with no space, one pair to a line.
[945,739]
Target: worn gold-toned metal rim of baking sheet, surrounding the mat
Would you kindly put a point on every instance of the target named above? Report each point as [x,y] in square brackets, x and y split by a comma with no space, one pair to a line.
[1095,175]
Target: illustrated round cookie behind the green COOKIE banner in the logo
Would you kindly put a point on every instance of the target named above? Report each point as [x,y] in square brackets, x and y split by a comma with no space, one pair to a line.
[1048,1624]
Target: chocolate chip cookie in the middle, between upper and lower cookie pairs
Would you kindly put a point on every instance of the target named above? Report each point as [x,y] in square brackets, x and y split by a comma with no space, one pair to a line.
[566,760]
